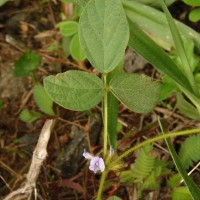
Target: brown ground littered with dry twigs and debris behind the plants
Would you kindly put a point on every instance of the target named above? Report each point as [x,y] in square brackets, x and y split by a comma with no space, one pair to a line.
[29,25]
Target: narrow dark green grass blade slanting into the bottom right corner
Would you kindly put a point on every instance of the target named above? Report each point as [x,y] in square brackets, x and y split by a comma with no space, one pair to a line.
[193,188]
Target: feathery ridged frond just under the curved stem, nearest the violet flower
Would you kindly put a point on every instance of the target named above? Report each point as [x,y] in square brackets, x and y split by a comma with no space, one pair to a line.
[143,165]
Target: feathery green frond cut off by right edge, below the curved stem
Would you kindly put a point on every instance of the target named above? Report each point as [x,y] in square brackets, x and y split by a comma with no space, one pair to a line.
[190,151]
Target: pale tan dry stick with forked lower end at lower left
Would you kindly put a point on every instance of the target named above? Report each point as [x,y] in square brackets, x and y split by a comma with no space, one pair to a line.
[39,155]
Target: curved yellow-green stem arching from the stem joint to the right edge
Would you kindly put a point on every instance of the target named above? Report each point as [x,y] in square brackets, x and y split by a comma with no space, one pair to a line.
[167,135]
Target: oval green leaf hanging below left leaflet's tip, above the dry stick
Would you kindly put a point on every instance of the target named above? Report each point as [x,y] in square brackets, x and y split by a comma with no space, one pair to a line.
[42,99]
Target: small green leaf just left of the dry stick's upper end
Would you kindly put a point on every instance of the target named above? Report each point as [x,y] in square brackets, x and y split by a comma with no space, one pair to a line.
[29,116]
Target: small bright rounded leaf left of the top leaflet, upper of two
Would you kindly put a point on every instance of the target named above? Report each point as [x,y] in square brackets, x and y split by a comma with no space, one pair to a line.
[68,28]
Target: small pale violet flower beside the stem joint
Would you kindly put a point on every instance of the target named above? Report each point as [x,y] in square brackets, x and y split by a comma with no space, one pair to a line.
[96,163]
